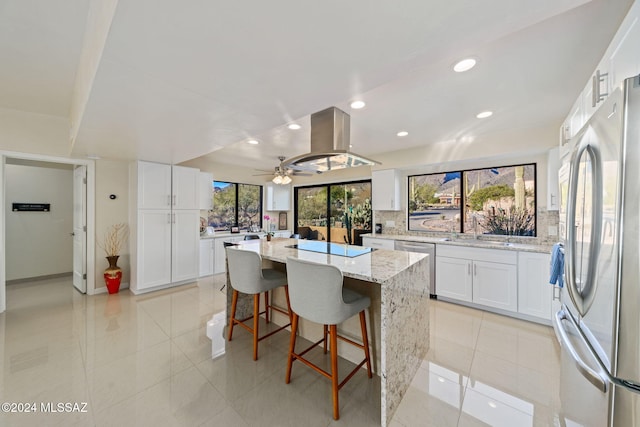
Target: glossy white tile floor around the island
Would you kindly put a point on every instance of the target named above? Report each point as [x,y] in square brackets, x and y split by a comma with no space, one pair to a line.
[146,360]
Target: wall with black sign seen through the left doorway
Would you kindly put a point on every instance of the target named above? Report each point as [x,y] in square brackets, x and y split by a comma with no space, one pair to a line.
[39,243]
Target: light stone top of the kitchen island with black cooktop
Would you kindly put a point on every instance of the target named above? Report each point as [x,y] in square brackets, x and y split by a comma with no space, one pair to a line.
[378,266]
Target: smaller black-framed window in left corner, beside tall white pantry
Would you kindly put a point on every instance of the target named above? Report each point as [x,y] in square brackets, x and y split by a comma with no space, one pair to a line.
[235,205]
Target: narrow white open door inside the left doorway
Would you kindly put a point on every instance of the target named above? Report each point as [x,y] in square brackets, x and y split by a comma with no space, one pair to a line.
[80,228]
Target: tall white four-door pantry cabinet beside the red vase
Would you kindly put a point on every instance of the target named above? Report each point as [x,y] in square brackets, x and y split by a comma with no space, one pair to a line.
[164,224]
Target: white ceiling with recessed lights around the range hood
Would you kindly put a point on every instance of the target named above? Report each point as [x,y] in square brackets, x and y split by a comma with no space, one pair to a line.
[179,80]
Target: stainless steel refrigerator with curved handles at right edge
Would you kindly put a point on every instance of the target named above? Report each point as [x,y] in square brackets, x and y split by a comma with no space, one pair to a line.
[598,325]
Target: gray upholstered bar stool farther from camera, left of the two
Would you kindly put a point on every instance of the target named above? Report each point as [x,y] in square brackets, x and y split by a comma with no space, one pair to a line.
[246,275]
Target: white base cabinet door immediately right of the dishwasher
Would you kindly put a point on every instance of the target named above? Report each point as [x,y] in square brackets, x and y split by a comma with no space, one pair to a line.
[453,278]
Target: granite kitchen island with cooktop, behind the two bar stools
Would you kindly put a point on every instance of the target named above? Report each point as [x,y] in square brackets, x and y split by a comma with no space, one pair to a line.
[398,319]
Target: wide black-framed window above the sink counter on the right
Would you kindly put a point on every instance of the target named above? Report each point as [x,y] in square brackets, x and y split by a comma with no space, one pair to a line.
[500,200]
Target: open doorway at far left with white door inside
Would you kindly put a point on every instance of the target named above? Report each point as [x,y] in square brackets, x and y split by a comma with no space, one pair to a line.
[77,231]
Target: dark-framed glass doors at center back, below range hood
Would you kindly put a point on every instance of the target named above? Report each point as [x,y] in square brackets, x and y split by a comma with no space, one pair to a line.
[334,212]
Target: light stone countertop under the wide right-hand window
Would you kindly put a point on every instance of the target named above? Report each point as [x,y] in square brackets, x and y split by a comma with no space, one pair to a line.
[486,242]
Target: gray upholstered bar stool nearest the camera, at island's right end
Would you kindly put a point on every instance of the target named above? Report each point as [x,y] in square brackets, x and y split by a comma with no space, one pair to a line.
[317,294]
